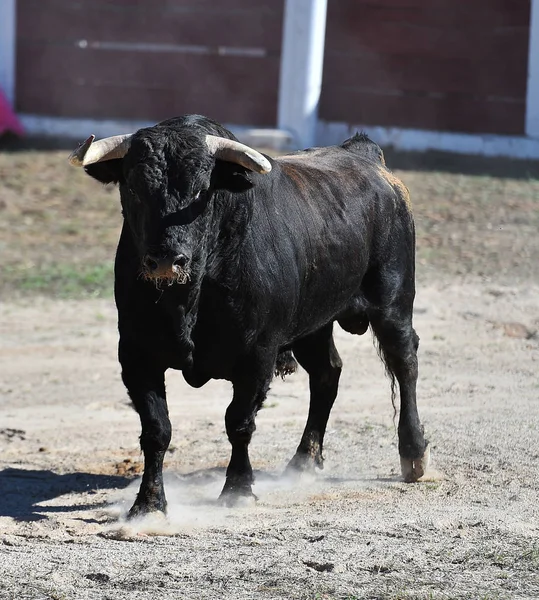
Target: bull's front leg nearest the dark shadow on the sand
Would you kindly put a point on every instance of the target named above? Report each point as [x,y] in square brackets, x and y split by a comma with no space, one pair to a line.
[145,383]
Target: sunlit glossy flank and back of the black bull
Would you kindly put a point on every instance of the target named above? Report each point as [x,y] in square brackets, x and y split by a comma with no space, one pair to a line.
[319,231]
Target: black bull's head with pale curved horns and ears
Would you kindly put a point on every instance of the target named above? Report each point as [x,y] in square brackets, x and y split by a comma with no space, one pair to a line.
[167,179]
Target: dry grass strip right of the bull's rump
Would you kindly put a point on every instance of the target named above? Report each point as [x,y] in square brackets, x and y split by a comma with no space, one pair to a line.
[476,224]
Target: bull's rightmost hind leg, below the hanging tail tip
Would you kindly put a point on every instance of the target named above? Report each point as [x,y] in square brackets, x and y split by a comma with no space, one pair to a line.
[398,341]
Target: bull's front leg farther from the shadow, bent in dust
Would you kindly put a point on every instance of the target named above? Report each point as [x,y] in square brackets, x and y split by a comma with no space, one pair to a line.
[250,391]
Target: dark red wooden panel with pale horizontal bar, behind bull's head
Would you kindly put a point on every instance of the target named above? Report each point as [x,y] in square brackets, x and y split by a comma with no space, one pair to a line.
[141,59]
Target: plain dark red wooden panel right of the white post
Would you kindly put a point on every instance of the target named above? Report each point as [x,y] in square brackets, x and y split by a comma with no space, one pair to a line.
[449,65]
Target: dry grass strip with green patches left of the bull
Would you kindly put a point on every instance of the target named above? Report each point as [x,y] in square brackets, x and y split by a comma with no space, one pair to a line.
[58,229]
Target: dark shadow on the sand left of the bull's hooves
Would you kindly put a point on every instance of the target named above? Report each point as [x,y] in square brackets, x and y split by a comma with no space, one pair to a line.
[22,490]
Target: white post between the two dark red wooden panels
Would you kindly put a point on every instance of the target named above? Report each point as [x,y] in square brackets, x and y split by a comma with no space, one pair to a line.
[302,61]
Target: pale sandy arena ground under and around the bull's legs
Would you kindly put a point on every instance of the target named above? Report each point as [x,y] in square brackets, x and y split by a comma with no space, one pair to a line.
[70,463]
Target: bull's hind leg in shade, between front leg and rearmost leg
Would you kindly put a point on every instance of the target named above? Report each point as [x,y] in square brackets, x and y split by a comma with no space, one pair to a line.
[317,354]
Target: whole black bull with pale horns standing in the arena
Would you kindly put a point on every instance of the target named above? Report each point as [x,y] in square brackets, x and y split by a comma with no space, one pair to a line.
[228,268]
